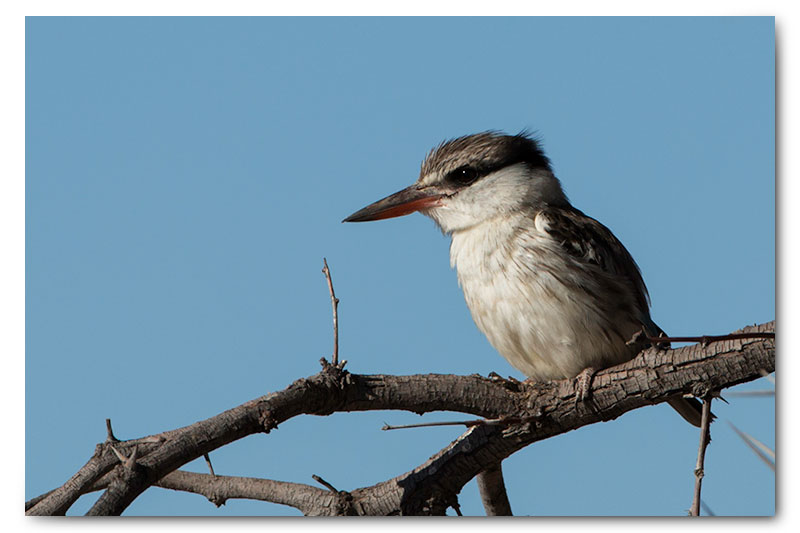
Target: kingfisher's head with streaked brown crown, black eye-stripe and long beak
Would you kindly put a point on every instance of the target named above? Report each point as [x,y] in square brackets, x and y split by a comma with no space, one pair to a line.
[471,179]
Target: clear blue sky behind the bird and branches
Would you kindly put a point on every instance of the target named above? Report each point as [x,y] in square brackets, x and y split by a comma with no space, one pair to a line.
[185,178]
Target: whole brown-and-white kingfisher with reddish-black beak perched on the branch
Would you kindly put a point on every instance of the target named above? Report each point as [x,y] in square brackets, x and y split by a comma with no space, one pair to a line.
[553,290]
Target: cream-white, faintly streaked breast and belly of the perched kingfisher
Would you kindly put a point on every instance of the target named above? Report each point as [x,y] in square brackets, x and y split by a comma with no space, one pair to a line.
[518,288]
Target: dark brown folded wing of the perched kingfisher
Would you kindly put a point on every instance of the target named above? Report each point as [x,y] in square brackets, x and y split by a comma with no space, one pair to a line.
[592,245]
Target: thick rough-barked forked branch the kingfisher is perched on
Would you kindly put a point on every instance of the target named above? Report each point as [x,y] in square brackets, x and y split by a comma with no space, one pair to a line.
[652,377]
